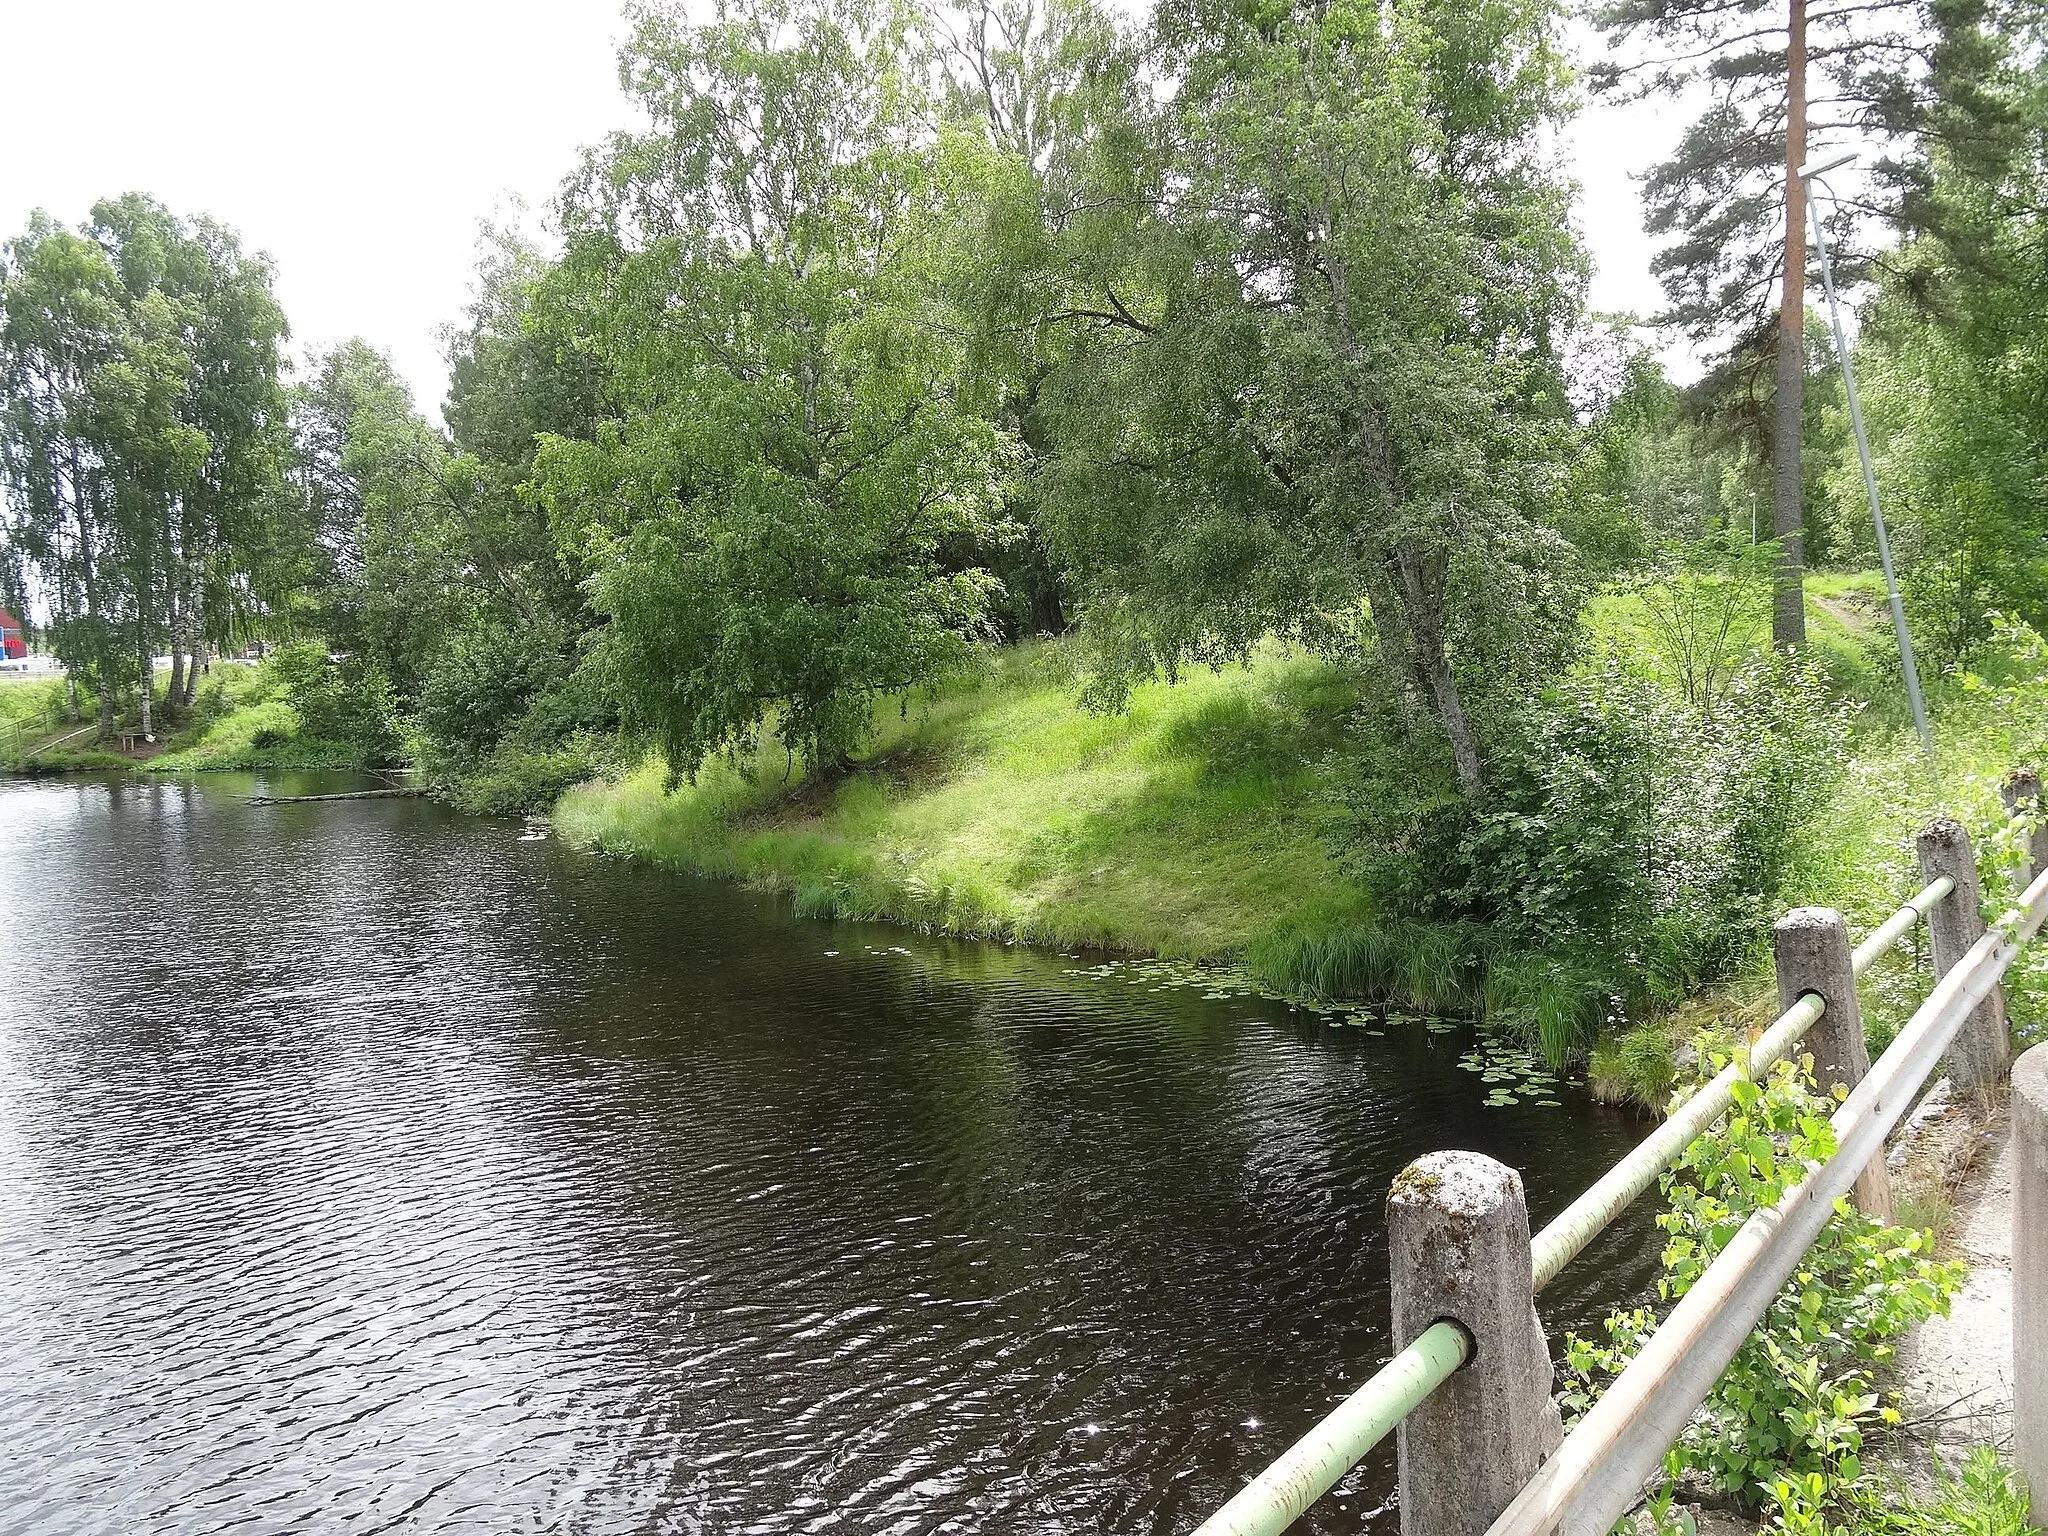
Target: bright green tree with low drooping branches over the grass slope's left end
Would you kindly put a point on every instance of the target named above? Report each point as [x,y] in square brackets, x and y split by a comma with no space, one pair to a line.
[792,431]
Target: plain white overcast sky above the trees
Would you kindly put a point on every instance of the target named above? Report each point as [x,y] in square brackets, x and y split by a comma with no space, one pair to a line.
[361,142]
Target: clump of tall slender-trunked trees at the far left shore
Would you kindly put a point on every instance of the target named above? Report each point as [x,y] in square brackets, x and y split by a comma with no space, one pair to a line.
[144,433]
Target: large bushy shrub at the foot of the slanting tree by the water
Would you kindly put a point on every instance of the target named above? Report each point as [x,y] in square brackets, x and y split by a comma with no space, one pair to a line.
[1629,847]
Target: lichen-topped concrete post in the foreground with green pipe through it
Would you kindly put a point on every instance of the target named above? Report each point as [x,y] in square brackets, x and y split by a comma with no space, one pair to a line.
[1459,1236]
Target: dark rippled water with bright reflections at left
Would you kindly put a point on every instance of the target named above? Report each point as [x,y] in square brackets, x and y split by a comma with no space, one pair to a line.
[368,1168]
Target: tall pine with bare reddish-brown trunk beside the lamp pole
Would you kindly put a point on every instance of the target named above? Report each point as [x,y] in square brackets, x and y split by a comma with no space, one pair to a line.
[1785,83]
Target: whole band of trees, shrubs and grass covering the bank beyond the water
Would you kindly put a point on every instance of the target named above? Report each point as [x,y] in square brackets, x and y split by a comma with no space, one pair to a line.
[1152,482]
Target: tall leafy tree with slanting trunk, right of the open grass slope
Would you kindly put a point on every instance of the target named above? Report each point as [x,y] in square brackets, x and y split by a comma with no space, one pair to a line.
[1310,316]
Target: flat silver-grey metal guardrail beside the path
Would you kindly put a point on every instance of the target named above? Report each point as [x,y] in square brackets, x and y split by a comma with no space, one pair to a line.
[1601,1469]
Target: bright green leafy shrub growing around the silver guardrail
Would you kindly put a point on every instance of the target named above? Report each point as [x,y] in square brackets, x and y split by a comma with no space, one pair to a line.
[1799,1396]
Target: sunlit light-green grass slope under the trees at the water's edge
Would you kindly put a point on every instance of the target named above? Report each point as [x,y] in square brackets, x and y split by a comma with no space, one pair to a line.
[1185,826]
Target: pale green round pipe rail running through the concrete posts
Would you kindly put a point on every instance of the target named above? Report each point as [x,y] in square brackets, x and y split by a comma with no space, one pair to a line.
[1314,1465]
